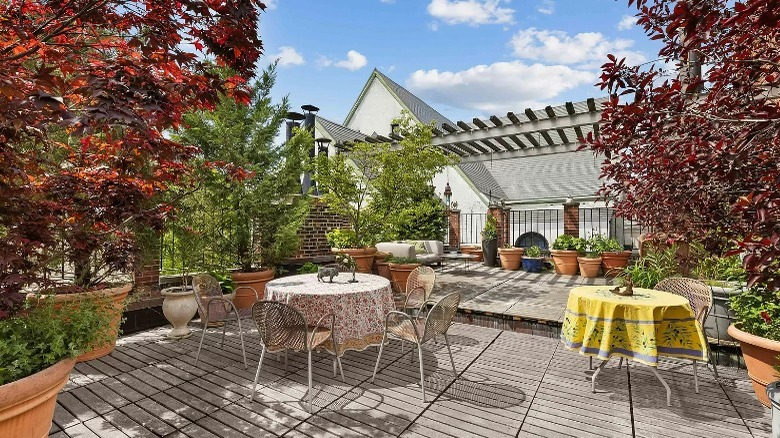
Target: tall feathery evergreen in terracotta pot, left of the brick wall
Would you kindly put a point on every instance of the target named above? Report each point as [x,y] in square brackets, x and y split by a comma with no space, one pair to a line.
[249,185]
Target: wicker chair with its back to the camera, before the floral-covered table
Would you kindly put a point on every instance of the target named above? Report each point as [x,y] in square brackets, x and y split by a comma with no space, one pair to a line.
[282,327]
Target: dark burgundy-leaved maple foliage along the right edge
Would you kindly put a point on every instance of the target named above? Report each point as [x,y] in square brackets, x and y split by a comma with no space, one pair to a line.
[699,154]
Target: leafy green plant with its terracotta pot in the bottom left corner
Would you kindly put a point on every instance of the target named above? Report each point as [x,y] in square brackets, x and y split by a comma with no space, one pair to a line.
[38,353]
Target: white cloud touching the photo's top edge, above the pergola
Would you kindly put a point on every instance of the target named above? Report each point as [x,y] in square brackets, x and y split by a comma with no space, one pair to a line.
[471,12]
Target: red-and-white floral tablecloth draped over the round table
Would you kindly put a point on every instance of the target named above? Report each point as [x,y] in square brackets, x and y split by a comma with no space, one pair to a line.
[360,308]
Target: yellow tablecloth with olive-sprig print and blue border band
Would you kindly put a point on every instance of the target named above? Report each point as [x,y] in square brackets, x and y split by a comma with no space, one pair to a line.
[641,327]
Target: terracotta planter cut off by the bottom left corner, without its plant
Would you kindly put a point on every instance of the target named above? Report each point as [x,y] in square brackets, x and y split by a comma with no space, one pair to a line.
[27,405]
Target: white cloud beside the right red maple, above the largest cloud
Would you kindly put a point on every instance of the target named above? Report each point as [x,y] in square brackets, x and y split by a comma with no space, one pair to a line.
[586,50]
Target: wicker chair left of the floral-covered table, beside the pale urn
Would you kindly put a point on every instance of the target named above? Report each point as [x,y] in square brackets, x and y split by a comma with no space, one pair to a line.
[214,309]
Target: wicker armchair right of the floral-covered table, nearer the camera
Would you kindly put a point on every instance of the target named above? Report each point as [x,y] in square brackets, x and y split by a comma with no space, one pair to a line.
[419,330]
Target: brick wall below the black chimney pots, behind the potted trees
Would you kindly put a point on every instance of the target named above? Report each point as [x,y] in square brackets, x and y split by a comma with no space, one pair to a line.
[319,221]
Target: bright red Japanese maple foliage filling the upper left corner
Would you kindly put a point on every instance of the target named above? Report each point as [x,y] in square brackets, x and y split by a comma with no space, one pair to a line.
[87,90]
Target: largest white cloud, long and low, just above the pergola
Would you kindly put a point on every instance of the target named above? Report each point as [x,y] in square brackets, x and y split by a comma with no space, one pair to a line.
[499,87]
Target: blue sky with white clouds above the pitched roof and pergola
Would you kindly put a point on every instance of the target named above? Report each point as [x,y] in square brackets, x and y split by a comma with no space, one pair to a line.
[466,58]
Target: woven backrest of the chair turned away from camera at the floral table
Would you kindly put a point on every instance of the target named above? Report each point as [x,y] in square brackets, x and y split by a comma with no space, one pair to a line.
[280,326]
